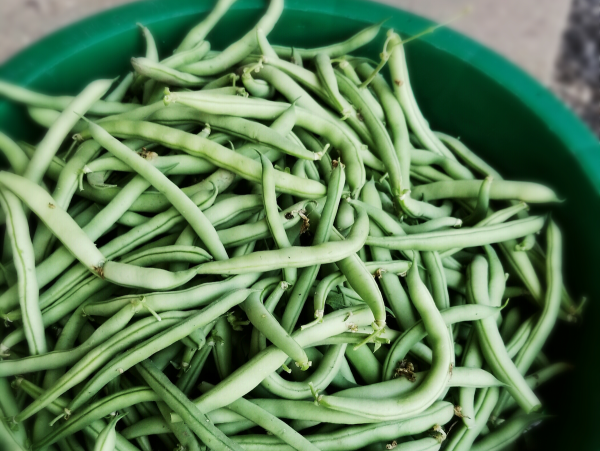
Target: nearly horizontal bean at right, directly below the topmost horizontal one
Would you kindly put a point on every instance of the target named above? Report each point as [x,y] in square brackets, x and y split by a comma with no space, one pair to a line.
[467,237]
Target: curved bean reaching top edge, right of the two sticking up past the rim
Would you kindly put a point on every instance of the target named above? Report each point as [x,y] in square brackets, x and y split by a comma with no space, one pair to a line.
[239,50]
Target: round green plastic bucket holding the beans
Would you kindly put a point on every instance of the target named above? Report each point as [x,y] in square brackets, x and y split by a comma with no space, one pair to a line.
[463,88]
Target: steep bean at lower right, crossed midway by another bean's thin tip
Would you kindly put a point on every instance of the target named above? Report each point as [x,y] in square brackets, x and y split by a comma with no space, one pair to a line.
[490,341]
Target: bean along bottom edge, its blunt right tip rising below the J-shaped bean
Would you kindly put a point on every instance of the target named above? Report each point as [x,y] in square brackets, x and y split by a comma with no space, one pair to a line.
[356,437]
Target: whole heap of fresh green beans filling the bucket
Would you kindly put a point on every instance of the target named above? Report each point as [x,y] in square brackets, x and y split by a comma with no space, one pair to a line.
[267,248]
